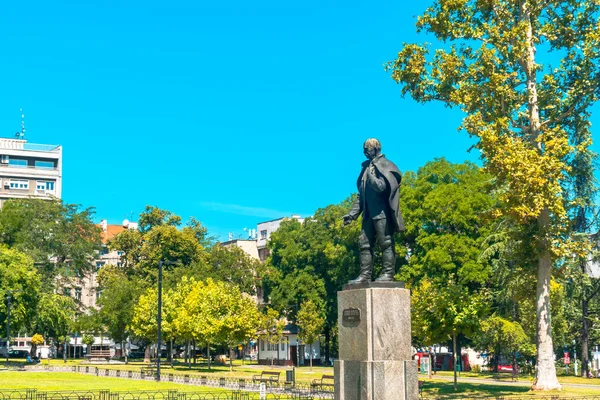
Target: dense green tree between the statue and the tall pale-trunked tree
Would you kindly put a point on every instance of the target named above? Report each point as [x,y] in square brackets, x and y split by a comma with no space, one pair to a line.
[445,208]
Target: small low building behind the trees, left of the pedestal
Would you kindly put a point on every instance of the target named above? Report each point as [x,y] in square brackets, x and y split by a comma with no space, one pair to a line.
[289,351]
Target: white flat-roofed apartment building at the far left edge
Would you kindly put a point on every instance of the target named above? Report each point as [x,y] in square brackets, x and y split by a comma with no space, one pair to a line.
[29,170]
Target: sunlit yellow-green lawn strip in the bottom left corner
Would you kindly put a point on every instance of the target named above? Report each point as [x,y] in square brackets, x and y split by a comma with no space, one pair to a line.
[48,381]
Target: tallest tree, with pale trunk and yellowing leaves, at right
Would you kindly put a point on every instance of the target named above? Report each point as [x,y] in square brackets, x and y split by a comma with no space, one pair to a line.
[524,72]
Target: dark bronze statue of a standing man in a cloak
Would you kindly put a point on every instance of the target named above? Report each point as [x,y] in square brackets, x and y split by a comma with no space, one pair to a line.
[378,201]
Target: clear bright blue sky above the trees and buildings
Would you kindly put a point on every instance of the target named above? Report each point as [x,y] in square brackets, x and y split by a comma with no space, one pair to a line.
[233,112]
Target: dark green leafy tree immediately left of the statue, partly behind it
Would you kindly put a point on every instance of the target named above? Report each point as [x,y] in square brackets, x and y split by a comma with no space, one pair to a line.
[312,260]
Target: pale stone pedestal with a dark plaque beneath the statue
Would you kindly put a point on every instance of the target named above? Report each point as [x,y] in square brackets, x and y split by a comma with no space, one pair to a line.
[374,344]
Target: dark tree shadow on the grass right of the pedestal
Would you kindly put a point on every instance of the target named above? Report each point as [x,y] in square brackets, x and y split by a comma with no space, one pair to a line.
[445,390]
